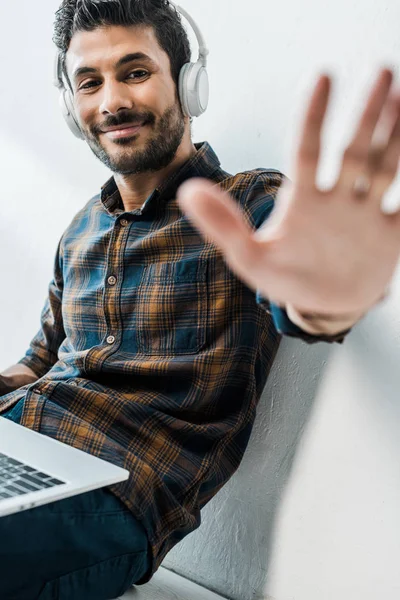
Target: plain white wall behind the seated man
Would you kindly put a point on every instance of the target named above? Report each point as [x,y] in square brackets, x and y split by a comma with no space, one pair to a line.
[312,513]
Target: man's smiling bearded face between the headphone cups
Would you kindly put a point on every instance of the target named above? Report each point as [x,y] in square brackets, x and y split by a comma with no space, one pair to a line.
[122,89]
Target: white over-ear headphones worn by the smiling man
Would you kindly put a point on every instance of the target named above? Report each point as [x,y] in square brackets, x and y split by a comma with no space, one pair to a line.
[193,83]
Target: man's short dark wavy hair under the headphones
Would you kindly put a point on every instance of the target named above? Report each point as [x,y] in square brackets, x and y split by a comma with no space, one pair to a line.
[88,15]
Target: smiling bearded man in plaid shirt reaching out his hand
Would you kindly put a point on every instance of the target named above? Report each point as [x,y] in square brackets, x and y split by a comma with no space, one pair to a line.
[156,341]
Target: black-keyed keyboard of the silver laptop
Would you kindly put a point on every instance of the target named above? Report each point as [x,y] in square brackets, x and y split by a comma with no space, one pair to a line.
[17,478]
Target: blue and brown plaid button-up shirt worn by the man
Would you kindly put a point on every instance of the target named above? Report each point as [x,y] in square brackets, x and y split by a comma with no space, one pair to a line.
[151,353]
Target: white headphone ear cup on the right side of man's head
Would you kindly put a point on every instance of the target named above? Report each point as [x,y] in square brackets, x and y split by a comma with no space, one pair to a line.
[194,89]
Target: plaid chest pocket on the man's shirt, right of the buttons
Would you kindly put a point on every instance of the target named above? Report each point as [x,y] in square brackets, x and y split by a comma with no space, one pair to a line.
[172,308]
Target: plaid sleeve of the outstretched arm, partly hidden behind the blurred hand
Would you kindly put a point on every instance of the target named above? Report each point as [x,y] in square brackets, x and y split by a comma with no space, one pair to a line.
[260,204]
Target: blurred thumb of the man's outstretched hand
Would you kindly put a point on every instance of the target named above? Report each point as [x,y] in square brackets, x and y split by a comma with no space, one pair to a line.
[216,215]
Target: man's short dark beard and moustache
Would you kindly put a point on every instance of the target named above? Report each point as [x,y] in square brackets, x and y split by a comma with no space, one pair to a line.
[159,151]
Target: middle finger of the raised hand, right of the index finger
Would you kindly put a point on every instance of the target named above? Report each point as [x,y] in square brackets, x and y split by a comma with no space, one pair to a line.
[355,157]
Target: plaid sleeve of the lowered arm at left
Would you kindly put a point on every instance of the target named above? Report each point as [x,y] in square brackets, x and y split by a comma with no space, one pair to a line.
[43,350]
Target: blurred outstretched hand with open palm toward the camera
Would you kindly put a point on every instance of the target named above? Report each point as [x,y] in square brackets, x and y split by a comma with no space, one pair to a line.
[334,251]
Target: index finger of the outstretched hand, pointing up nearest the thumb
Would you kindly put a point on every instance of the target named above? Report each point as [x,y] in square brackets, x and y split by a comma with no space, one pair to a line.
[309,148]
